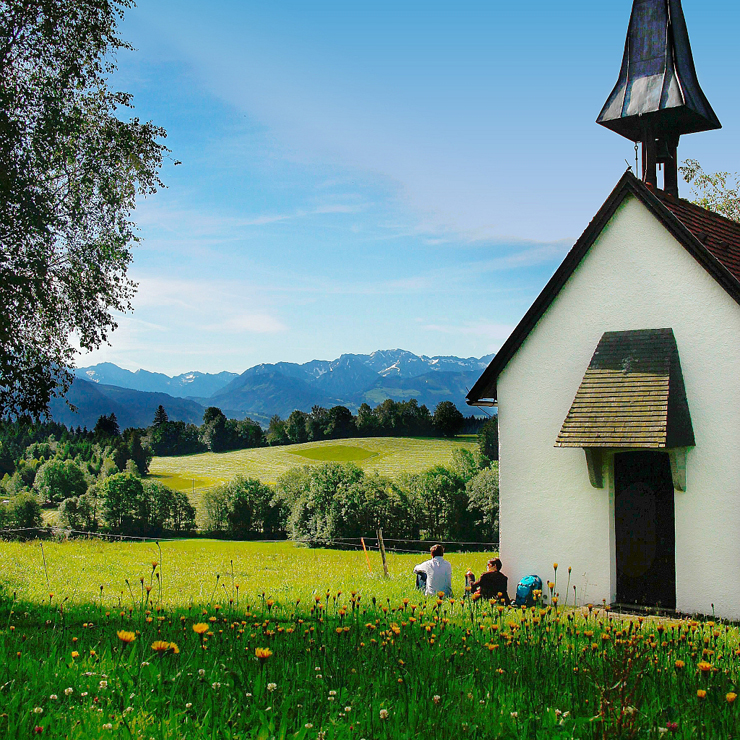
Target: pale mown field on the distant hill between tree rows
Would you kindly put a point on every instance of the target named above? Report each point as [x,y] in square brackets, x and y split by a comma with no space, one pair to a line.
[390,456]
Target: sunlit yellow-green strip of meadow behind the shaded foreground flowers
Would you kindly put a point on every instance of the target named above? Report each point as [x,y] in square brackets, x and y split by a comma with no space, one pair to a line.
[282,570]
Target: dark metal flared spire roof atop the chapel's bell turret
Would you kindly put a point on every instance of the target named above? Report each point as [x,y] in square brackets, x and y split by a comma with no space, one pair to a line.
[657,87]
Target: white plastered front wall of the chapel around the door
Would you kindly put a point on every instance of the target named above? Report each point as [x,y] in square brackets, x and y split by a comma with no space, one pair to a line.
[635,276]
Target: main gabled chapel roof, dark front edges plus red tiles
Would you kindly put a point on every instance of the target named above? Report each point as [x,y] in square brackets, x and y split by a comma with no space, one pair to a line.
[714,241]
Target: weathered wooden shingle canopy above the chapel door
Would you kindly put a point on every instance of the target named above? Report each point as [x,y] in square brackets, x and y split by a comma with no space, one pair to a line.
[632,395]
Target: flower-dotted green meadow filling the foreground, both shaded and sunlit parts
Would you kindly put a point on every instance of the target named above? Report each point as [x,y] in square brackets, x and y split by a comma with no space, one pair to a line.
[290,654]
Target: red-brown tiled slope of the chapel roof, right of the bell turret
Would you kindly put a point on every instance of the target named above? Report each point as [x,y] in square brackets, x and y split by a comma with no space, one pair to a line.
[718,234]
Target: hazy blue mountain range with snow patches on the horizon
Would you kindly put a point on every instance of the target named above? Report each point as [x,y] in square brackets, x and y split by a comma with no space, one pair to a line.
[268,389]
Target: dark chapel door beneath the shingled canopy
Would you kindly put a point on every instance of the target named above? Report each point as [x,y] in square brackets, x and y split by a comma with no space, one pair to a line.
[645,529]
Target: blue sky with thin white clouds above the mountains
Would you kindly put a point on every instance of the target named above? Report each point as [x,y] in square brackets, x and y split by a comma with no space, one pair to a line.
[359,176]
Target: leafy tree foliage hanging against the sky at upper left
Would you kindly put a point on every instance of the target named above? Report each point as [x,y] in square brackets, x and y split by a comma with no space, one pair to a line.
[72,169]
